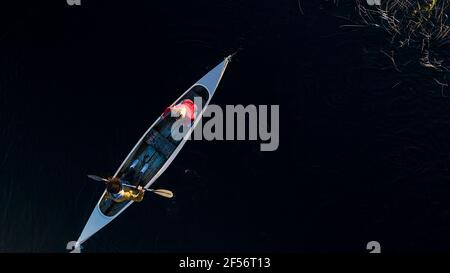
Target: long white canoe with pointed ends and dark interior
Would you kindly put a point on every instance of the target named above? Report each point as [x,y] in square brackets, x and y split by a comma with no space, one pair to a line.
[153,153]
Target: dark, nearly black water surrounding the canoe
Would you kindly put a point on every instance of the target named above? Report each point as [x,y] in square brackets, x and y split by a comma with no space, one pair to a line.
[358,160]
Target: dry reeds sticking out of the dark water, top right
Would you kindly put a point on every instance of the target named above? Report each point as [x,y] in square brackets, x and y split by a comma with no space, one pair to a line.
[414,27]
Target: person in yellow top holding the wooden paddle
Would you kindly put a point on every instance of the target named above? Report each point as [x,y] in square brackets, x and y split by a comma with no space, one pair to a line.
[118,194]
